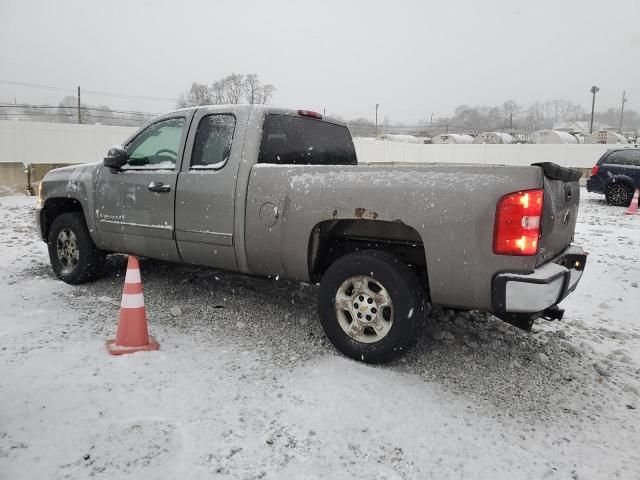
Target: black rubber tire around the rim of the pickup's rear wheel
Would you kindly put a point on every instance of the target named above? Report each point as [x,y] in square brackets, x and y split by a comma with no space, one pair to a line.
[402,286]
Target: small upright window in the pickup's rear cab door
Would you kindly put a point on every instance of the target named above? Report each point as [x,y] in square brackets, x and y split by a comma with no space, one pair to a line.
[212,145]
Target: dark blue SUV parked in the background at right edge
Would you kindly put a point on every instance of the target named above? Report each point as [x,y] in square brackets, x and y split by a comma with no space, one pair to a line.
[617,175]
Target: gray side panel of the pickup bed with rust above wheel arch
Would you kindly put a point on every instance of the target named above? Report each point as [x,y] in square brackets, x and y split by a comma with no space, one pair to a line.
[452,207]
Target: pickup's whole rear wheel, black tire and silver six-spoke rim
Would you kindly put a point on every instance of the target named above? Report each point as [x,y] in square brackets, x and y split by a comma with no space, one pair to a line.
[371,305]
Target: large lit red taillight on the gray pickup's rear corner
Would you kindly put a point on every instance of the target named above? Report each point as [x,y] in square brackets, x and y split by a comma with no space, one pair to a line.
[517,227]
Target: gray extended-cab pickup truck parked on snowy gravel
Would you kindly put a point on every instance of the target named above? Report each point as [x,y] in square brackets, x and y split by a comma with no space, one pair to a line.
[275,192]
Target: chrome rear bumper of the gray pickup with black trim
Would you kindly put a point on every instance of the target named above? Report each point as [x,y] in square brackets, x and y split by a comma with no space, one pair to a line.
[534,292]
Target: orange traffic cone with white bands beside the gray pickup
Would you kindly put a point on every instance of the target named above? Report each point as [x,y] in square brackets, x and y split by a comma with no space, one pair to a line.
[132,335]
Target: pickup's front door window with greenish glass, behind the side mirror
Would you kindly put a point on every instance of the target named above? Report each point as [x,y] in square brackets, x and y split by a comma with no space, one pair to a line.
[156,148]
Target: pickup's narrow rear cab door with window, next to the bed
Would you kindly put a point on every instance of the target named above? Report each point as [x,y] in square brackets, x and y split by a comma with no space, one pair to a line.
[205,195]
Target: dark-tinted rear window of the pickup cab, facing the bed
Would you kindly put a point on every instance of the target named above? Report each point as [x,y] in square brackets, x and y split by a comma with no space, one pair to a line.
[291,140]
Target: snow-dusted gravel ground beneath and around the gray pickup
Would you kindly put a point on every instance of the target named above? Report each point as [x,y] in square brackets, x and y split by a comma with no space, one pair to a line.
[246,386]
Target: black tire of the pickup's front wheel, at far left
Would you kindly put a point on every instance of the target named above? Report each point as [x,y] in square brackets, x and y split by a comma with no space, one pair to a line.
[88,259]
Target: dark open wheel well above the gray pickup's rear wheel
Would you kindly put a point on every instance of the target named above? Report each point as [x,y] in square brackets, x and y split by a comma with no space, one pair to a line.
[331,239]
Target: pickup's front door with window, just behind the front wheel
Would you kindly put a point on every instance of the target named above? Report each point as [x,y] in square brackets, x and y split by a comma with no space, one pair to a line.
[134,205]
